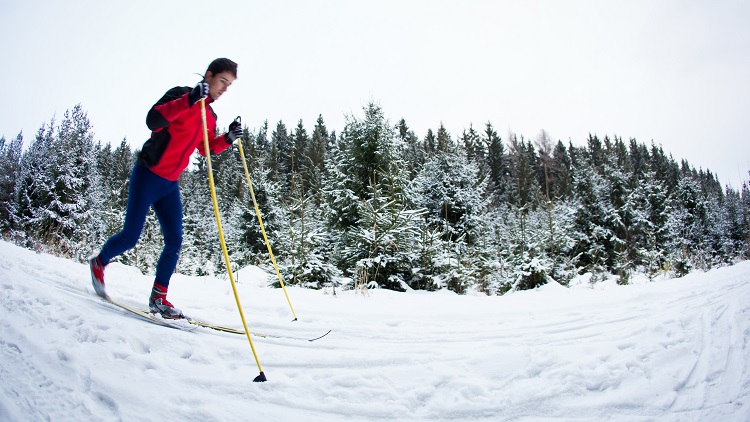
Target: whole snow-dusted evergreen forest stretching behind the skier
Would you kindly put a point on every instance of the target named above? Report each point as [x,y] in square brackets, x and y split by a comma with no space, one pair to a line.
[377,206]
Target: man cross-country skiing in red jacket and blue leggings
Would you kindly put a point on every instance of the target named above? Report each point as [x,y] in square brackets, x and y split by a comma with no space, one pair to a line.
[176,132]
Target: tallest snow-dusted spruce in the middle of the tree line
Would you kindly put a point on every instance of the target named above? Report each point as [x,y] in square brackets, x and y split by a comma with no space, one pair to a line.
[372,216]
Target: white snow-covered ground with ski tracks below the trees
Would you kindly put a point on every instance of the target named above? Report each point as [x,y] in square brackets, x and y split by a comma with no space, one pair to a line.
[669,350]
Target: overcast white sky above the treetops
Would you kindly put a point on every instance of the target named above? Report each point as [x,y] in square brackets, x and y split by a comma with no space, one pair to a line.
[673,71]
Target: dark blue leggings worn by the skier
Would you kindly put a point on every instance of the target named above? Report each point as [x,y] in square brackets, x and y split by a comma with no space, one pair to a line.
[149,190]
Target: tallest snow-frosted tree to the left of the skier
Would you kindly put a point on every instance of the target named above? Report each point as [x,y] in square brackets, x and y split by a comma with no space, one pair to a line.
[59,191]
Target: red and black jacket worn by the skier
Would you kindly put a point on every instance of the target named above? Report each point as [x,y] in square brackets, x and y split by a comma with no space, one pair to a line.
[176,132]
